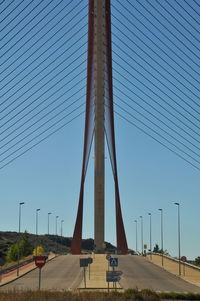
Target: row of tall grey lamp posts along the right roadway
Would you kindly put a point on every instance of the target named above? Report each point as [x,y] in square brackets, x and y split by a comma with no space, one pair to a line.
[161,233]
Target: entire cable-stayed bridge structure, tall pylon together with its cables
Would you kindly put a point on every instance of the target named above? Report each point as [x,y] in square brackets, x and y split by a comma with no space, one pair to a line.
[136,60]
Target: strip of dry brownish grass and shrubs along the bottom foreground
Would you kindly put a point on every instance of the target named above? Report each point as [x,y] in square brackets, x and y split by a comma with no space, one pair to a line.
[128,295]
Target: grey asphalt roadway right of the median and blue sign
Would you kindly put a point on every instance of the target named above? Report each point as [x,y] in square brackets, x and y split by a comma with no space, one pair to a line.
[140,273]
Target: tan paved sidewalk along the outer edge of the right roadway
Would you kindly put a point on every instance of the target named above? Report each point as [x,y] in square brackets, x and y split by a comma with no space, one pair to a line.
[187,272]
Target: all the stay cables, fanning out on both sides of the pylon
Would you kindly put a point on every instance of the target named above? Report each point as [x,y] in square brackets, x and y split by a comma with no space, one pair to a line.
[155,71]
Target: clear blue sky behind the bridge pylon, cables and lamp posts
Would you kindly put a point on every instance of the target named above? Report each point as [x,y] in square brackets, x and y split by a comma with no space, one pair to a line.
[150,176]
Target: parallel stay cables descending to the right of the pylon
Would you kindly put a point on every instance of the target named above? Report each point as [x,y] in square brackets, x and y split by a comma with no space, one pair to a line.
[156,80]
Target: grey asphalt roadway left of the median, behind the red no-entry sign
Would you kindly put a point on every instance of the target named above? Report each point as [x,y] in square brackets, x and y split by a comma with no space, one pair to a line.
[62,273]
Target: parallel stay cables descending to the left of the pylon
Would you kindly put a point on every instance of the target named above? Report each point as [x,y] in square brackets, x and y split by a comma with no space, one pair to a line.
[43,72]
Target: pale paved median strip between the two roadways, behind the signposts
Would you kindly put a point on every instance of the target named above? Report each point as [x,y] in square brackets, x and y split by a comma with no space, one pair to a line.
[97,279]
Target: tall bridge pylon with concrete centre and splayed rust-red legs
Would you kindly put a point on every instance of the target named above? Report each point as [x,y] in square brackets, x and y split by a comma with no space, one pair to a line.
[99,124]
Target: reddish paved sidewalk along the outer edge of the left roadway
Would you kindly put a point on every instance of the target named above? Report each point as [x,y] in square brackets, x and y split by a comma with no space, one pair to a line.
[12,275]
